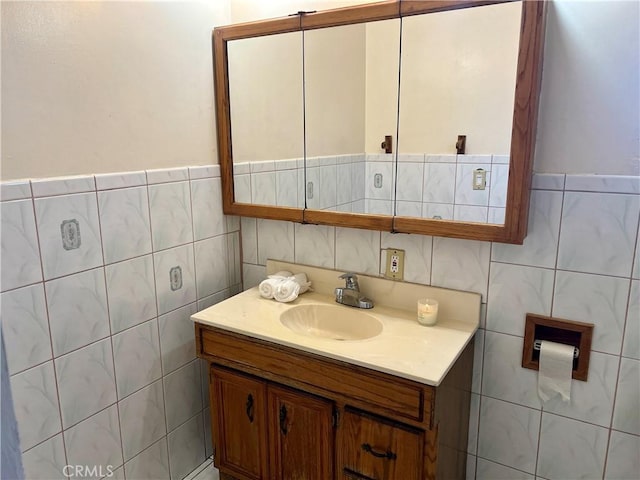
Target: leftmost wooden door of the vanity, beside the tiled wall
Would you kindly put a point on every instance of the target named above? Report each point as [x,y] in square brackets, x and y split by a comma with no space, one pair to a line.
[240,419]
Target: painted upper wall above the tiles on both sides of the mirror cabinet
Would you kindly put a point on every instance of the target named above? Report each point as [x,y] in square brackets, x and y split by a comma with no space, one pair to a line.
[90,87]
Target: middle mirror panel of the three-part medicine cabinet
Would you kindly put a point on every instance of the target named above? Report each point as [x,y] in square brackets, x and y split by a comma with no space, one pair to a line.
[351,92]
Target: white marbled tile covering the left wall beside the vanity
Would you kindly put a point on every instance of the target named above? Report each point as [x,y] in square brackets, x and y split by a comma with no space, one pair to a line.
[100,274]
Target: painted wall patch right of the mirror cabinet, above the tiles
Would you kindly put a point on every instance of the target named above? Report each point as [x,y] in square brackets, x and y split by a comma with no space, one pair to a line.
[589,118]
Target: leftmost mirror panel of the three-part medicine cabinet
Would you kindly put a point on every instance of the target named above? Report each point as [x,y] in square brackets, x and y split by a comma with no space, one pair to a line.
[265,97]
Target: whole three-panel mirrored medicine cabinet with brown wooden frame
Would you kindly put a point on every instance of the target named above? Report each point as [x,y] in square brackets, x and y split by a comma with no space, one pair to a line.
[447,85]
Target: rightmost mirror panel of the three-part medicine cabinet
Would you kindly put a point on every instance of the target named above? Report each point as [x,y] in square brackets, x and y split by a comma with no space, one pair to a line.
[458,77]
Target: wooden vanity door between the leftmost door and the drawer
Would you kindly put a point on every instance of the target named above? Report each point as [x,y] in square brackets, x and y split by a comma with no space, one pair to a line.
[301,435]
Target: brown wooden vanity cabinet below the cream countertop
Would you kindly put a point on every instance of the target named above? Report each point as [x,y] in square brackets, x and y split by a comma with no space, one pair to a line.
[282,413]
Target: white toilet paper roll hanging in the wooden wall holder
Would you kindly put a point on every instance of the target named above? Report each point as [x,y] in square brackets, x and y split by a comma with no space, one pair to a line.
[554,374]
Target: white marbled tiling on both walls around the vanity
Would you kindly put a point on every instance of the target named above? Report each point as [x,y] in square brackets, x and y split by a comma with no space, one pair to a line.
[516,437]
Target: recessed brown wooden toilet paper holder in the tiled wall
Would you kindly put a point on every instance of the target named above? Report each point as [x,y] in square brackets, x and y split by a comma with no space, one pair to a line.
[558,330]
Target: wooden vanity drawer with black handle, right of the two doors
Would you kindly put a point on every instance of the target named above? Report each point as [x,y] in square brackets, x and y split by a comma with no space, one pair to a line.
[376,448]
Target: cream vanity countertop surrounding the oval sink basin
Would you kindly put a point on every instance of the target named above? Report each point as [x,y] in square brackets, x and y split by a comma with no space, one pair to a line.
[404,348]
